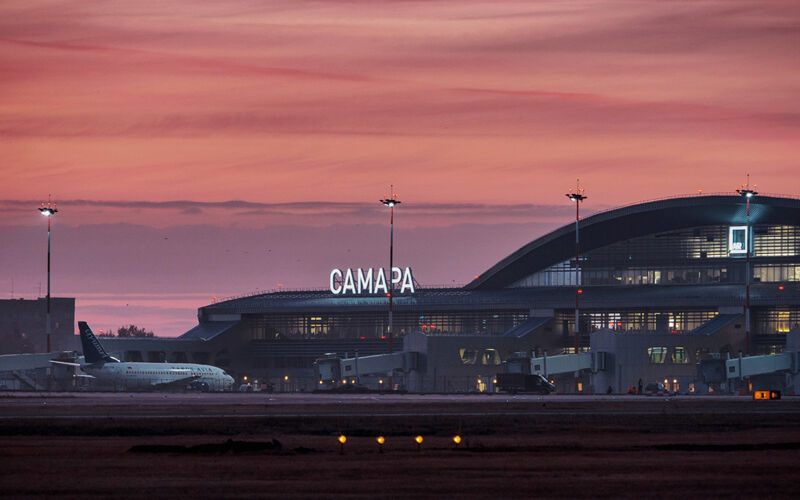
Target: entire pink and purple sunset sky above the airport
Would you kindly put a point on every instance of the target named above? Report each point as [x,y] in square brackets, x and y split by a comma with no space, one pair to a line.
[206,148]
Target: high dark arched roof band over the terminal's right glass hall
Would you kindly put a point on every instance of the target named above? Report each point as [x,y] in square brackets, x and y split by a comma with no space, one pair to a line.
[632,221]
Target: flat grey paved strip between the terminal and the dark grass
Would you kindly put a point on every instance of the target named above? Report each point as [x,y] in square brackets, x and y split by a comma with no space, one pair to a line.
[240,405]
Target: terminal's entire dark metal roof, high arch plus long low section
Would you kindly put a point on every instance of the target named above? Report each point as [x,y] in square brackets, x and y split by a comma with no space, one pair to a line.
[489,291]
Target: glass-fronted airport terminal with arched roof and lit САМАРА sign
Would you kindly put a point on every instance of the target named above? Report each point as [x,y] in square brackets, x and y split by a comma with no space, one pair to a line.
[669,269]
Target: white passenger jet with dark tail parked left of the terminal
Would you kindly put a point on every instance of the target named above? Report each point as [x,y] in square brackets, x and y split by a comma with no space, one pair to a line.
[137,375]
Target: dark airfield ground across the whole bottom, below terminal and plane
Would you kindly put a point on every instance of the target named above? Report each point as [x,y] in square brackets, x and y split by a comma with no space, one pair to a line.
[144,446]
